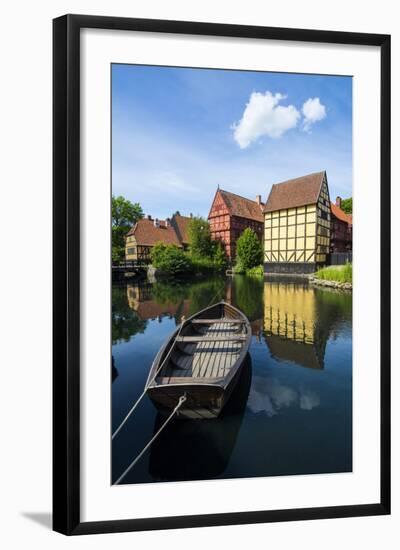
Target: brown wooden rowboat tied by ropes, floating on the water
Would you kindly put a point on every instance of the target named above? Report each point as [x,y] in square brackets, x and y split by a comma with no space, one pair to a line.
[201,360]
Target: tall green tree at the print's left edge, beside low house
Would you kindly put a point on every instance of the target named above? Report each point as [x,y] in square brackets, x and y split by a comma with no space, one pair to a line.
[124,215]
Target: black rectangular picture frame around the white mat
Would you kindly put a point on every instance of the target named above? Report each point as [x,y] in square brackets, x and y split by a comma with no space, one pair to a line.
[66,273]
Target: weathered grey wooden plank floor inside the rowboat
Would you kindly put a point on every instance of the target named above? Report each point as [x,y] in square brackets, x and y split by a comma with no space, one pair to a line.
[206,359]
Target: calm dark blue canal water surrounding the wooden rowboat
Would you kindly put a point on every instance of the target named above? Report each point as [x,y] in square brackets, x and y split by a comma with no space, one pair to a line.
[291,412]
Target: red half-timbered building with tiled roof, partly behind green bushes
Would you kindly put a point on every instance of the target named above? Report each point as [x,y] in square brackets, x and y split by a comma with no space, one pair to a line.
[230,215]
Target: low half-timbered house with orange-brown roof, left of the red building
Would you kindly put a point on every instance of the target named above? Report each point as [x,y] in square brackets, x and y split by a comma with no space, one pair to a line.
[147,232]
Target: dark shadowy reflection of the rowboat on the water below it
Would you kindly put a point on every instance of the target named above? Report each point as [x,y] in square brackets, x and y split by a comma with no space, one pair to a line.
[200,449]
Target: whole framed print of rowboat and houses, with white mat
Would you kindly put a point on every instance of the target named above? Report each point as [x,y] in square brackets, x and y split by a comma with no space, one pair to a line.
[221,304]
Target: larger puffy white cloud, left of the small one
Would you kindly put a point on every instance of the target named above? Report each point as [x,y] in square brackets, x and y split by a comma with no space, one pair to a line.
[263,116]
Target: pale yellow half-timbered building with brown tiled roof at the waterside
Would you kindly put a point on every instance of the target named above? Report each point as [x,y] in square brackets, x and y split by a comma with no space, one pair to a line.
[297,225]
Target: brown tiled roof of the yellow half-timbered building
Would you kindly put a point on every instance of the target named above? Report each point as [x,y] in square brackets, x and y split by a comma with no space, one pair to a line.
[295,192]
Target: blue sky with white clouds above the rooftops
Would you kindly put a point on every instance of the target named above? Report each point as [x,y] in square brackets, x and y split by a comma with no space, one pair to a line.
[178,133]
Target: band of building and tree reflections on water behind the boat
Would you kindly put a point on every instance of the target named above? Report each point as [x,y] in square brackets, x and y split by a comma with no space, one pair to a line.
[288,315]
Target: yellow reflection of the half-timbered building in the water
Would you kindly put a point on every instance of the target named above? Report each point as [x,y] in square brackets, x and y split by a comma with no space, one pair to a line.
[292,328]
